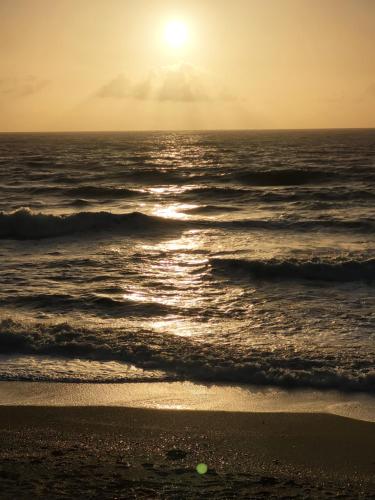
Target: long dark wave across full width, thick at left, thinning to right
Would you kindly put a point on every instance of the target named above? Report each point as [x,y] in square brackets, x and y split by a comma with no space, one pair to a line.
[24,224]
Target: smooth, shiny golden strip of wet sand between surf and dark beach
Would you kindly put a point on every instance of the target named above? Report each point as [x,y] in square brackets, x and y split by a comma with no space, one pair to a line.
[188,396]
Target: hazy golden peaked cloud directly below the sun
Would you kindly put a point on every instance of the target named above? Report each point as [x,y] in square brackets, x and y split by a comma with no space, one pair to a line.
[178,83]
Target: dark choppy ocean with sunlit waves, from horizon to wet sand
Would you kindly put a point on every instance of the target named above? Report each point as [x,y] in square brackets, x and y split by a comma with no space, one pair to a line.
[214,257]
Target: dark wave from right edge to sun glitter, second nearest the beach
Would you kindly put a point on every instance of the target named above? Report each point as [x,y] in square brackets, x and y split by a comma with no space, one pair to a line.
[351,270]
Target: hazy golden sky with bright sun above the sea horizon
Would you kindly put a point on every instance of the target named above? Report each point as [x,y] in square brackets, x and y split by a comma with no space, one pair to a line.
[110,65]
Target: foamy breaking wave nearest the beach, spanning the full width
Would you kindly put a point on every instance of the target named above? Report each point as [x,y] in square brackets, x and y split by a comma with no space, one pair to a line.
[187,359]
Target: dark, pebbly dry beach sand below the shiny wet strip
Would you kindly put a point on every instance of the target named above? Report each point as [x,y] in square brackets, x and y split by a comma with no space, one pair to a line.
[104,452]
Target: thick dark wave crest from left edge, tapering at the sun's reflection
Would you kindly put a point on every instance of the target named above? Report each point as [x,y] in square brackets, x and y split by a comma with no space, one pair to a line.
[25,224]
